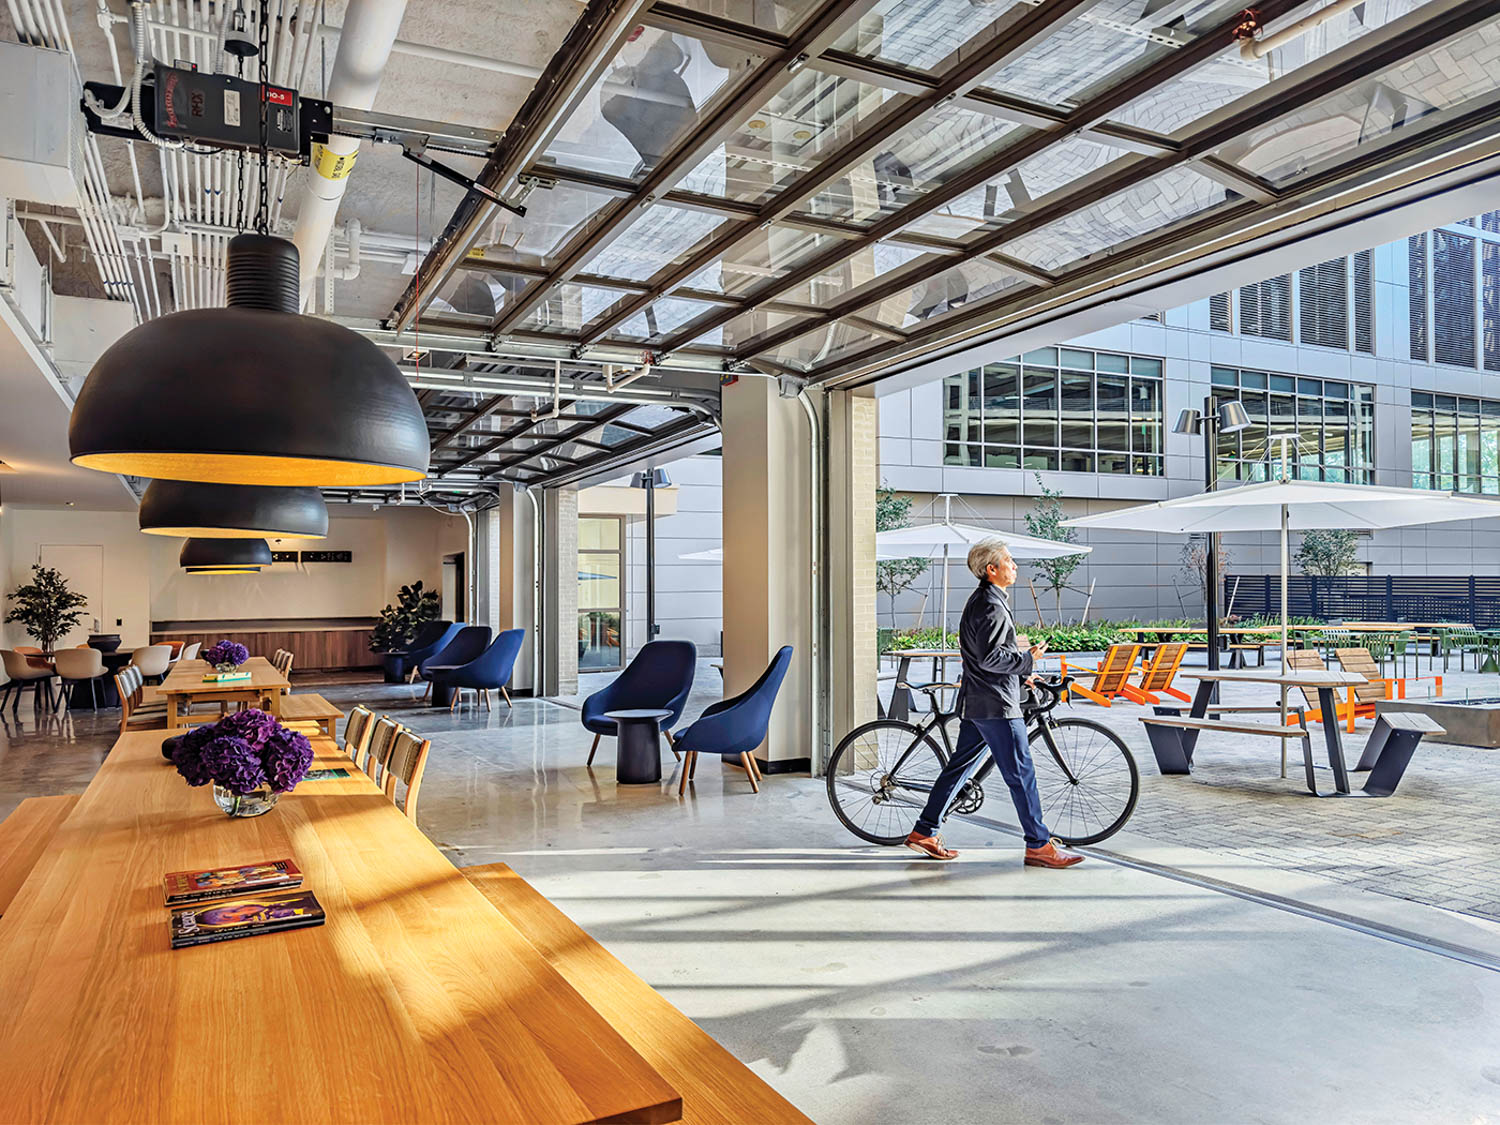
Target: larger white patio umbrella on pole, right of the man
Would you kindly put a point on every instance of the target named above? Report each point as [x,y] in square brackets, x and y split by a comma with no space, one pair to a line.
[1294,505]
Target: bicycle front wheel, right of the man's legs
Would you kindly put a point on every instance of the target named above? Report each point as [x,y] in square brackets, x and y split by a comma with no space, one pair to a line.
[1087,779]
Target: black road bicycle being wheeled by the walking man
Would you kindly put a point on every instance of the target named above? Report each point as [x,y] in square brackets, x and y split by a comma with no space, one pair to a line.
[881,775]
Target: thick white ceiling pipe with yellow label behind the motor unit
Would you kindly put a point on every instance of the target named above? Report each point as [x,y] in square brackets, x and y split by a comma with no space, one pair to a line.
[370,32]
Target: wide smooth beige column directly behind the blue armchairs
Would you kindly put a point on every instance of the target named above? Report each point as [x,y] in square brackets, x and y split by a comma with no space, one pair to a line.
[767,533]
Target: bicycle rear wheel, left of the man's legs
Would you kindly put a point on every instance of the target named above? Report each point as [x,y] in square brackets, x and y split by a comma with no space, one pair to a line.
[880,779]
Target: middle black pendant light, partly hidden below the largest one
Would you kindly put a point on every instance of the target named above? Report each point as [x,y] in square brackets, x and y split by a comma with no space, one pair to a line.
[191,509]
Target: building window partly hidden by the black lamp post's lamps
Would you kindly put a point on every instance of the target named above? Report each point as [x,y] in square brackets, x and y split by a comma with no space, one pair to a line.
[1334,422]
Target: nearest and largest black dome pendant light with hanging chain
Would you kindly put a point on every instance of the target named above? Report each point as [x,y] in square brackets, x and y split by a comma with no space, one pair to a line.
[254,394]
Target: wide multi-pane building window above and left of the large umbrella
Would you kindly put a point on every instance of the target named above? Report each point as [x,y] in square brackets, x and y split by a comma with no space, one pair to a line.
[1058,409]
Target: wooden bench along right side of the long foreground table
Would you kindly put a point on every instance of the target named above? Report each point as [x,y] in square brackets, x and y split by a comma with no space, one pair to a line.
[716,1088]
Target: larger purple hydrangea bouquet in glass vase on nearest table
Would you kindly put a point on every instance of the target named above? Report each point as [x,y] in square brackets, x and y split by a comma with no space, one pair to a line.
[248,757]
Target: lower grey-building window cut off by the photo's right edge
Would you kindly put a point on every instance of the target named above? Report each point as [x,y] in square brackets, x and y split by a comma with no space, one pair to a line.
[1456,443]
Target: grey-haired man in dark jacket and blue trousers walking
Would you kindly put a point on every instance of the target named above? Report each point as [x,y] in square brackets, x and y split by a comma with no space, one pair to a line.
[991,715]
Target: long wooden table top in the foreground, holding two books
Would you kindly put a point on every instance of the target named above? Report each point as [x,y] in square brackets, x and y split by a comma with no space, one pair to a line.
[416,1001]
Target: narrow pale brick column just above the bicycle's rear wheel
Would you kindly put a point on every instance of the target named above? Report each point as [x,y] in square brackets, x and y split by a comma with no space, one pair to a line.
[854,475]
